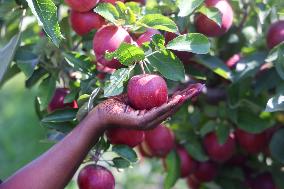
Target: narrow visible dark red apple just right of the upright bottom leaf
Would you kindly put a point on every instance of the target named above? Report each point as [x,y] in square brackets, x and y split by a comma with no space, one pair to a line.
[187,164]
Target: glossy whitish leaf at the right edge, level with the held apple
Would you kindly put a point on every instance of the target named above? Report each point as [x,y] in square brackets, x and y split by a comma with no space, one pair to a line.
[275,103]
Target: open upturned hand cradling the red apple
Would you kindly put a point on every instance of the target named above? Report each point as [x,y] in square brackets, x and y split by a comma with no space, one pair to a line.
[116,111]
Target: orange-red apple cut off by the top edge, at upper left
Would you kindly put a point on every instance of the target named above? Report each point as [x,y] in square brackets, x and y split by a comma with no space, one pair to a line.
[81,5]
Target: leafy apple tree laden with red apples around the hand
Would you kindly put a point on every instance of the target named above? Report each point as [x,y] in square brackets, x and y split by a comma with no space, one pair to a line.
[81,52]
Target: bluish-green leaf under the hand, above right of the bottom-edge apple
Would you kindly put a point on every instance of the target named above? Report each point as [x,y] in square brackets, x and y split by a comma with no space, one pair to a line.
[125,152]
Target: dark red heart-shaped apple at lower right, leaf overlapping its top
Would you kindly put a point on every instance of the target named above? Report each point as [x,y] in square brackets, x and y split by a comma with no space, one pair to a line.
[219,152]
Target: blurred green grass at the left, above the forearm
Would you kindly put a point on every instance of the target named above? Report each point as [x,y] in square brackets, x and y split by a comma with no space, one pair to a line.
[20,132]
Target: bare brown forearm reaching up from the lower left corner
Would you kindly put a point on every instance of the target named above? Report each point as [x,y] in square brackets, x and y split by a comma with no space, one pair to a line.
[55,168]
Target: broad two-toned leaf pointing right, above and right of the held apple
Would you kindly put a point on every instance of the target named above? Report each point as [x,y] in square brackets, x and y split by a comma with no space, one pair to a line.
[194,42]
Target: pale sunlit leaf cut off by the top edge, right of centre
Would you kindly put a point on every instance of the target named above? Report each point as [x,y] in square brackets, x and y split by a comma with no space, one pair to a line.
[186,7]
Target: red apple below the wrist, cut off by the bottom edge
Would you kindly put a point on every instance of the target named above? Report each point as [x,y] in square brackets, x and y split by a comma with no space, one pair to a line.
[95,177]
